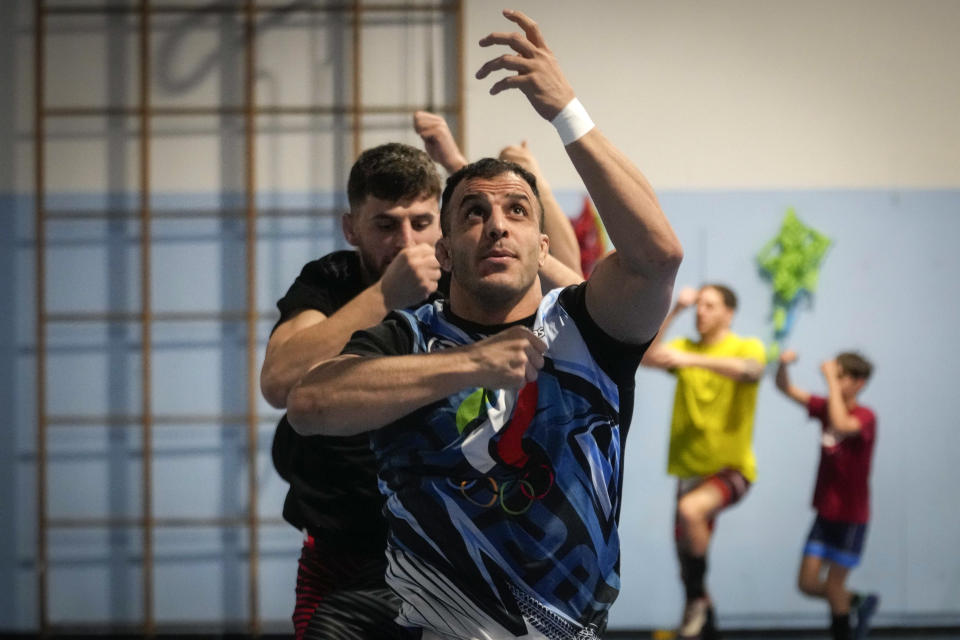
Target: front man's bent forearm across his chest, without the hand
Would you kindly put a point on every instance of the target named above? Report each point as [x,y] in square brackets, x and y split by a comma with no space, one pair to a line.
[351,394]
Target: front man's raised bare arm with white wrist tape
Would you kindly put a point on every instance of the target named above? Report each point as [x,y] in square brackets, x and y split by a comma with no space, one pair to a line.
[629,292]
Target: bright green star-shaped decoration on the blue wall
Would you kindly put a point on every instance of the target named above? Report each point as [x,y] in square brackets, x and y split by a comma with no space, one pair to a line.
[791,261]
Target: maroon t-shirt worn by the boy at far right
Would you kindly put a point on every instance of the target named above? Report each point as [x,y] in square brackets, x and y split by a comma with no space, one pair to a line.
[843,480]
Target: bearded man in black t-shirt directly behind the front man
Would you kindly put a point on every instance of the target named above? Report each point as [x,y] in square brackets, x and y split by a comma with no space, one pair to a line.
[393,222]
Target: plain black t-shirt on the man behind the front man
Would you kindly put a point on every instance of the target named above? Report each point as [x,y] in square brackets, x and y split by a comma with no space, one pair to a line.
[333,480]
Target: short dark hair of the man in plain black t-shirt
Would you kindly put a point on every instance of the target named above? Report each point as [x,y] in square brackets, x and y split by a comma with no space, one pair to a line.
[393,172]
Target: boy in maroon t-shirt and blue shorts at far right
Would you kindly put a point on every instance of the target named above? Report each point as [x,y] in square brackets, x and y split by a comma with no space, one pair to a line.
[842,494]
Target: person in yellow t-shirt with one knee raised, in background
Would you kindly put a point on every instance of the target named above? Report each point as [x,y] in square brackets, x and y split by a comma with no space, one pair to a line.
[711,433]
